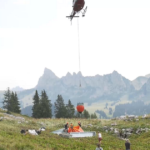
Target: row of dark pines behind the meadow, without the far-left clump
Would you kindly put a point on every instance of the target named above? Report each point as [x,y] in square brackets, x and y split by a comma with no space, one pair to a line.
[42,108]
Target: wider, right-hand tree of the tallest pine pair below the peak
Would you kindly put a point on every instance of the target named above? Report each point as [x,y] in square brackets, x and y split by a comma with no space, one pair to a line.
[45,106]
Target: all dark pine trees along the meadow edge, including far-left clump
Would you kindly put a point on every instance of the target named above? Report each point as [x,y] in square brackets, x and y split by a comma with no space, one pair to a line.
[42,106]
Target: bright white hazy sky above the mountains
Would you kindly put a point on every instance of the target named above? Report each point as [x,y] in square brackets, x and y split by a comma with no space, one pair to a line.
[34,34]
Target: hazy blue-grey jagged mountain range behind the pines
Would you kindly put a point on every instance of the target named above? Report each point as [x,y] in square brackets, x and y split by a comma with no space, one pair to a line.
[93,89]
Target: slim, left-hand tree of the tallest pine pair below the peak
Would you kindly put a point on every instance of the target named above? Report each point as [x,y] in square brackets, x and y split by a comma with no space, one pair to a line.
[36,107]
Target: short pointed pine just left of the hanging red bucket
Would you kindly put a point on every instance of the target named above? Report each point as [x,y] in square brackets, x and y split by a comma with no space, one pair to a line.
[70,110]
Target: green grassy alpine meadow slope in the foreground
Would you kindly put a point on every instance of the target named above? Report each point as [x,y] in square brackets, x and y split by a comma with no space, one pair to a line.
[11,139]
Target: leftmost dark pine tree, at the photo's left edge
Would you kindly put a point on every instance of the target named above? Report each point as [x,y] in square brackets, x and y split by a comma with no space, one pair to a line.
[7,100]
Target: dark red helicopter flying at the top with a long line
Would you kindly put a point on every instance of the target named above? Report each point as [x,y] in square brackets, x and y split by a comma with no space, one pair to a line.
[77,7]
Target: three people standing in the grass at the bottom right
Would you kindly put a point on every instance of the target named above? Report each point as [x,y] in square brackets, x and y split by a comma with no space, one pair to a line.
[127,143]
